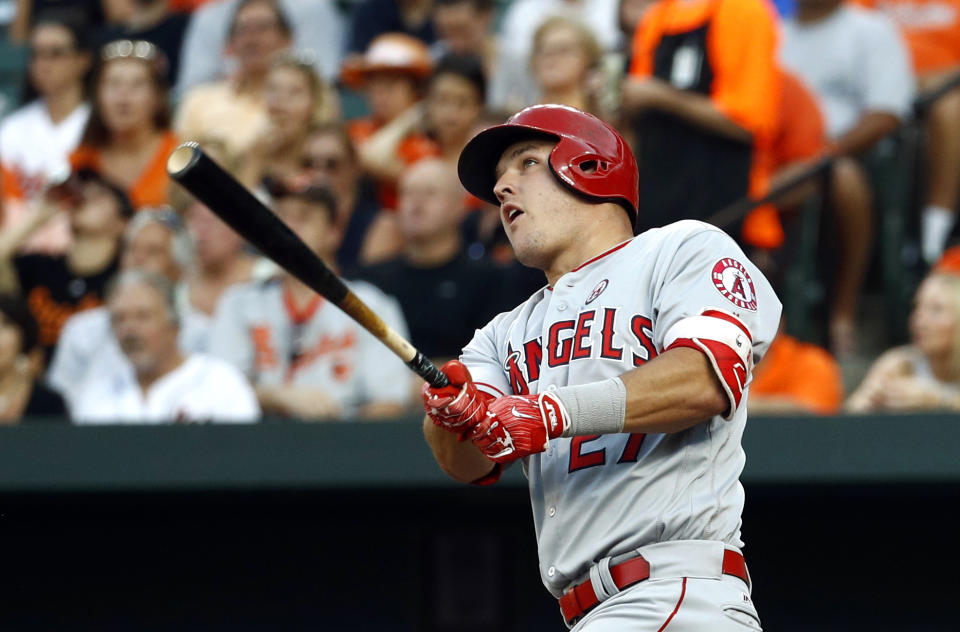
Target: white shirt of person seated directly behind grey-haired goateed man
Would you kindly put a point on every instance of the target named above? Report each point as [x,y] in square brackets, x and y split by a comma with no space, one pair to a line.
[87,345]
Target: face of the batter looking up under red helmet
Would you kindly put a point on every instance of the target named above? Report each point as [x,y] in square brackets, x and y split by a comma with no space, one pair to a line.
[541,218]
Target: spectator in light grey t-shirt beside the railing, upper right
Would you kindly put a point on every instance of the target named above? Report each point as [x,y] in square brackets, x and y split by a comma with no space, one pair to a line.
[855,62]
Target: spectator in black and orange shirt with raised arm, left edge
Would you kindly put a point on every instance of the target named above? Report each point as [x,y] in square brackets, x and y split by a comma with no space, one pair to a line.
[57,286]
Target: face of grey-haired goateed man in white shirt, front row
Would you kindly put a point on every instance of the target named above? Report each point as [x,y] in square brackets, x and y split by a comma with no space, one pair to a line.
[142,326]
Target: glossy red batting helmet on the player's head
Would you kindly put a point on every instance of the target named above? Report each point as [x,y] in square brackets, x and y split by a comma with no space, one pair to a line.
[590,157]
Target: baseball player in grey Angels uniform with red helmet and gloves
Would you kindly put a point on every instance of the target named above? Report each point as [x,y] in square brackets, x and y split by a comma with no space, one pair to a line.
[621,386]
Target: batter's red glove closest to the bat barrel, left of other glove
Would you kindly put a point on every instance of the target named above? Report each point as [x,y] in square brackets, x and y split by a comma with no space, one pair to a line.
[458,407]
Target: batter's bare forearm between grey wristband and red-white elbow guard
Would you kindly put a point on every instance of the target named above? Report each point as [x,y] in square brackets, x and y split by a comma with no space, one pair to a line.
[672,392]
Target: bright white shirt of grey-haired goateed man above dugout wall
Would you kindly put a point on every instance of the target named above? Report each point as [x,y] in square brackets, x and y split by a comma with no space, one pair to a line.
[201,389]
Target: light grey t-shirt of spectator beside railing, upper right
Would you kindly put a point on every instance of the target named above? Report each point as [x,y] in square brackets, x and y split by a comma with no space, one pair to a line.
[855,61]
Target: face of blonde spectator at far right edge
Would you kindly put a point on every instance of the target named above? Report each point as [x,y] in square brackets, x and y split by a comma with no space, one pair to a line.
[933,322]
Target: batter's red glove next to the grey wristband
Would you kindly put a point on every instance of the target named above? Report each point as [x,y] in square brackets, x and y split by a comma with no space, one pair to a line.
[519,425]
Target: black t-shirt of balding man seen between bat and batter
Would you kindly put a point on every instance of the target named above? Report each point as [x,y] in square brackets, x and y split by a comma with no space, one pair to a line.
[443,306]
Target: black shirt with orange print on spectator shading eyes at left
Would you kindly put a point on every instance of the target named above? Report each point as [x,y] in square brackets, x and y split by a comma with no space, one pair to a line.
[54,293]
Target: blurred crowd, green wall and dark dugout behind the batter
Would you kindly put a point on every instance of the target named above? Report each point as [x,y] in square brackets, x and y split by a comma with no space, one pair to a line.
[823,136]
